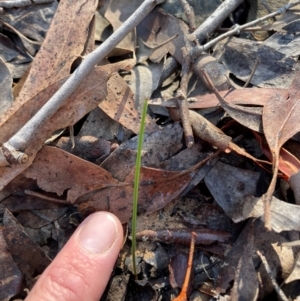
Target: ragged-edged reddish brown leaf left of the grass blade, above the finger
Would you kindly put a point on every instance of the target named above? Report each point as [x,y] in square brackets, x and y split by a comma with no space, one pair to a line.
[58,171]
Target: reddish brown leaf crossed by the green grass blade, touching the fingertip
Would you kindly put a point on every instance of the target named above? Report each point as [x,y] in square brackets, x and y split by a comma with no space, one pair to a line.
[157,189]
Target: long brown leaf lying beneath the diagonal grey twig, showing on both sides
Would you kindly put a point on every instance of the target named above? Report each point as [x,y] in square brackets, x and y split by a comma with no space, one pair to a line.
[83,100]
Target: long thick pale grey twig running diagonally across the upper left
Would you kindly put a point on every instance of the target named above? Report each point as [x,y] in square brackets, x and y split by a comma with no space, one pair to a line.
[22,139]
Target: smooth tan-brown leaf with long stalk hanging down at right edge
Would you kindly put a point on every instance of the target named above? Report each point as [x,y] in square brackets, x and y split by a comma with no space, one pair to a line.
[280,123]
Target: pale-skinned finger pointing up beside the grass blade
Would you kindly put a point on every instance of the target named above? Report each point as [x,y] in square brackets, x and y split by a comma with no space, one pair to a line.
[83,267]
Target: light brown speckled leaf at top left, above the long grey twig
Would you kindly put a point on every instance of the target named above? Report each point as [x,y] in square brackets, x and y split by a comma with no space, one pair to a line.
[63,44]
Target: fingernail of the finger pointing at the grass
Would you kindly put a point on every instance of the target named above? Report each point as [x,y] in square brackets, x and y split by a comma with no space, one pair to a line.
[98,233]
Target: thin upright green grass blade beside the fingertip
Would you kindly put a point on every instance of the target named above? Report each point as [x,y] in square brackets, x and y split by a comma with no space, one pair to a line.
[137,184]
